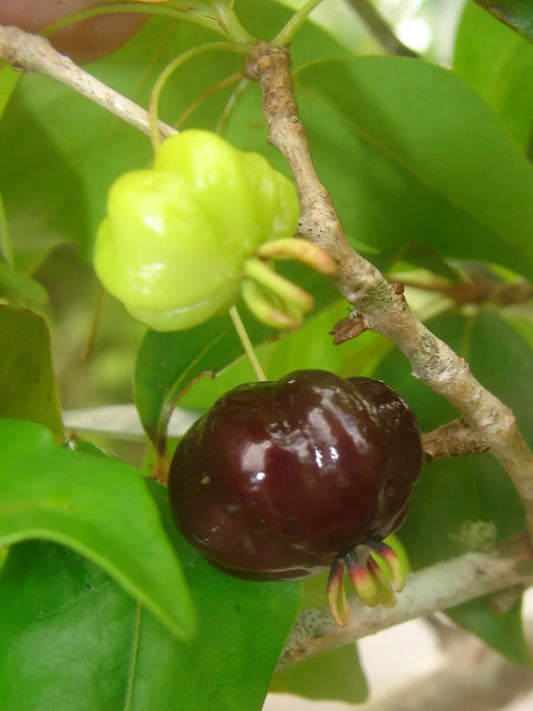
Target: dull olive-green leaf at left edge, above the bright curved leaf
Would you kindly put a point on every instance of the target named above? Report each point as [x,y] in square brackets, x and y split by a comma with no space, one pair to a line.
[27,385]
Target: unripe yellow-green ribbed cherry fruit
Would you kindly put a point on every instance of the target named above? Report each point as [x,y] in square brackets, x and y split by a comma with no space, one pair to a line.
[175,244]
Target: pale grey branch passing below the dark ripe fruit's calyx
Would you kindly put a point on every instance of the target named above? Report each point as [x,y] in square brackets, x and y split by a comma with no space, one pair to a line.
[438,587]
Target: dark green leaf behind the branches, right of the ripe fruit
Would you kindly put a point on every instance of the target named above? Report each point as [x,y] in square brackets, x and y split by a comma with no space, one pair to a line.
[469,502]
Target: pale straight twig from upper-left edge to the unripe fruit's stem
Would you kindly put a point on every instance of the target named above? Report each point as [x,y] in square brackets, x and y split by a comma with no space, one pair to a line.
[31,53]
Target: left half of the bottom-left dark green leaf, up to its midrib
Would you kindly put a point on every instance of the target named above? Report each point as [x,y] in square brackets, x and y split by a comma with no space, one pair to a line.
[67,632]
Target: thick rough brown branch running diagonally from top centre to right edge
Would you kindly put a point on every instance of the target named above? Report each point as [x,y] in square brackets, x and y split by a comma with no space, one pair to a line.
[380,306]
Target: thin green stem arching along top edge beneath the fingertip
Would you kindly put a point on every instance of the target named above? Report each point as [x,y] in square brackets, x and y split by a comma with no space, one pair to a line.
[137,9]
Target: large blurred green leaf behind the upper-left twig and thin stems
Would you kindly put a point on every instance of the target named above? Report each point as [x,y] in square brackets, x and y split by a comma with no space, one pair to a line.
[60,152]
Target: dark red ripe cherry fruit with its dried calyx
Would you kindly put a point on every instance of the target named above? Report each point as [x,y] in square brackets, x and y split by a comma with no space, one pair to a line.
[284,479]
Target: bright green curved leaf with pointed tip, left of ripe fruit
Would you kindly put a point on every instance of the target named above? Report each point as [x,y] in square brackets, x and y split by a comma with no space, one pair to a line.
[100,507]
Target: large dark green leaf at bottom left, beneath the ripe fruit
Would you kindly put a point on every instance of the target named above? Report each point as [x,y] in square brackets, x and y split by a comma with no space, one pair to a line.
[77,640]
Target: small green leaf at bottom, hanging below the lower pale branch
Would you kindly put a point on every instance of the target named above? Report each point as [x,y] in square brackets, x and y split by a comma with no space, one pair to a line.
[336,675]
